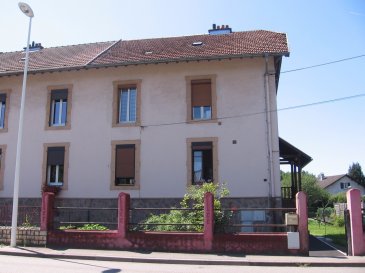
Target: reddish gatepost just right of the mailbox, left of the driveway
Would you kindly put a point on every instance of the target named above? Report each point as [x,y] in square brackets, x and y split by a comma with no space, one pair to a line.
[302,211]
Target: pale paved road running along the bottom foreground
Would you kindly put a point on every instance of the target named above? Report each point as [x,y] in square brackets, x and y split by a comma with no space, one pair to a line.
[12,264]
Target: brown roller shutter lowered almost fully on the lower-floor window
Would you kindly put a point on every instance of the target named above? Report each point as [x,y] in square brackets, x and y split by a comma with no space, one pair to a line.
[125,158]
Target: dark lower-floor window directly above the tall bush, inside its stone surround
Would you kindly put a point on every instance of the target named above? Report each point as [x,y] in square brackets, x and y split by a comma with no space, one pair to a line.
[202,165]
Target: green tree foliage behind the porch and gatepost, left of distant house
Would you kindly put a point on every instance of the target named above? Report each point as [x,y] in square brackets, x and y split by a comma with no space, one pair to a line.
[316,195]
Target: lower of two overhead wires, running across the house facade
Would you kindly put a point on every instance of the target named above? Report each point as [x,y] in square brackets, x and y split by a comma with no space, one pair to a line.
[264,112]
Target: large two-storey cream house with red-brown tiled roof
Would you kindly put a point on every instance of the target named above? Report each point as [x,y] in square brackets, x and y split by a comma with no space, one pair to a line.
[147,117]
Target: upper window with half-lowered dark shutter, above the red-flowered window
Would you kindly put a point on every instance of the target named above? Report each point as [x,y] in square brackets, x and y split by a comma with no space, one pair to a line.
[58,107]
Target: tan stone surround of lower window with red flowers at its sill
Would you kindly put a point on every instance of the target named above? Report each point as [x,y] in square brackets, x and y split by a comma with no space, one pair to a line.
[66,145]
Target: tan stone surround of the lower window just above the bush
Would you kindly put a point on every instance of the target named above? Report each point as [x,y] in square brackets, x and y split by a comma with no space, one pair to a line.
[189,162]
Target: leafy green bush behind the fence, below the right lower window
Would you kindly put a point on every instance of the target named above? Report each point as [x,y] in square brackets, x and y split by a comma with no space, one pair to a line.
[190,220]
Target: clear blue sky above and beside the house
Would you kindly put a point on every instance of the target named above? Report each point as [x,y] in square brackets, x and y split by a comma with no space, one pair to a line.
[319,31]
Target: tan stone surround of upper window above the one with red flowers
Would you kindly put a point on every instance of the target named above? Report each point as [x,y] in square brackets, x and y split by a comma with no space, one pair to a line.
[69,88]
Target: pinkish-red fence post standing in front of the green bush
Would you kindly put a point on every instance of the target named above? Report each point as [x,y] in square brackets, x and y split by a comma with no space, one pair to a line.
[208,220]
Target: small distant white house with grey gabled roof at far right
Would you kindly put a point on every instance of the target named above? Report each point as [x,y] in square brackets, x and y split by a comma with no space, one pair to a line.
[339,183]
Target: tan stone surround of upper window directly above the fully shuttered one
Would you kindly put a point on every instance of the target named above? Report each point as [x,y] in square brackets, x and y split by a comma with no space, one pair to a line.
[117,85]
